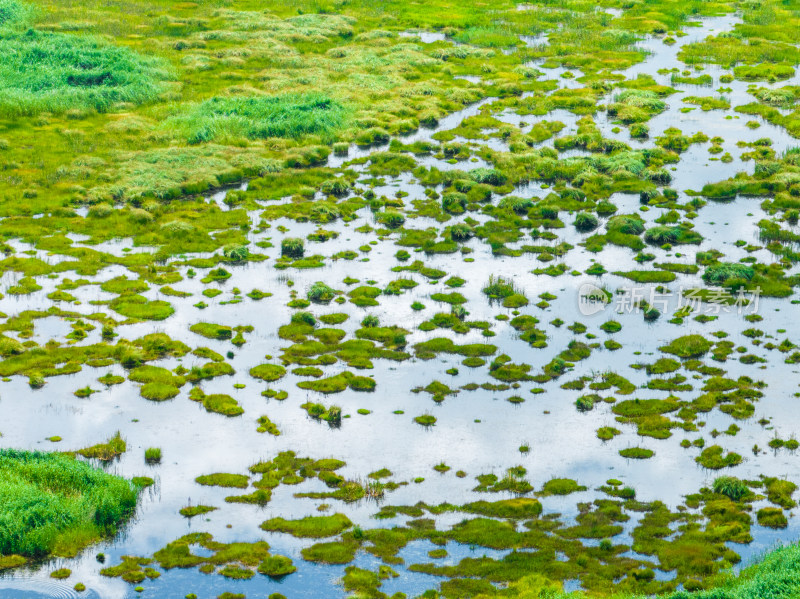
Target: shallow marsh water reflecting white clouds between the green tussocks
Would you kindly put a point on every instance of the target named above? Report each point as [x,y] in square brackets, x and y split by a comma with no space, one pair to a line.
[476,431]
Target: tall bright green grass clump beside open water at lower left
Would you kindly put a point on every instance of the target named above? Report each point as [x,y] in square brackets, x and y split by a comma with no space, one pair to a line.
[51,502]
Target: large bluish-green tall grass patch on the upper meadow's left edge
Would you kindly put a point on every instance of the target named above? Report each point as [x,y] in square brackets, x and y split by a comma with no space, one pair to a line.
[54,72]
